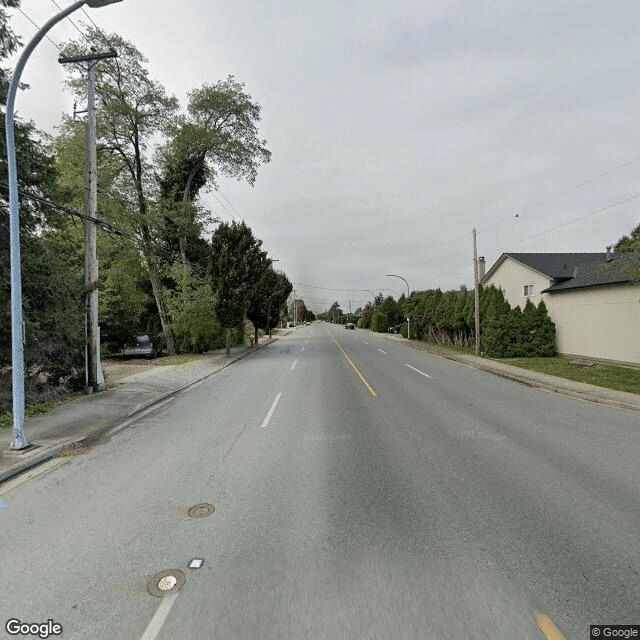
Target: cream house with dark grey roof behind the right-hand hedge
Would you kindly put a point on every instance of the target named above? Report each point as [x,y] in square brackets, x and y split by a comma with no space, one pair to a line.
[589,296]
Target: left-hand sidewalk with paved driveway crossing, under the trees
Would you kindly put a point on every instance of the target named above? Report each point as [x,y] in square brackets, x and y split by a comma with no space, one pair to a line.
[130,397]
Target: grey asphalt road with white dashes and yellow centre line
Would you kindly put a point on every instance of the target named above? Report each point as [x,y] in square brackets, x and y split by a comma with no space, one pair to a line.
[361,490]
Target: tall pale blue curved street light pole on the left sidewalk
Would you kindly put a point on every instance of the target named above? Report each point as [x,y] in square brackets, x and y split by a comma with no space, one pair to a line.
[17,338]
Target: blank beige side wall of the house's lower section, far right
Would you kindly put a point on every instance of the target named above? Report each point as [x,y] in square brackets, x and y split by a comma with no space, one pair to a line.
[598,322]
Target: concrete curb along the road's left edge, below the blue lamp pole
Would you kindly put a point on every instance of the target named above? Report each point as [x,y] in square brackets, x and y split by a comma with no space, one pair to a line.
[145,408]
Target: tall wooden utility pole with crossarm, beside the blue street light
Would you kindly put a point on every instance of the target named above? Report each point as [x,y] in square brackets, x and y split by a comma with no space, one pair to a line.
[94,377]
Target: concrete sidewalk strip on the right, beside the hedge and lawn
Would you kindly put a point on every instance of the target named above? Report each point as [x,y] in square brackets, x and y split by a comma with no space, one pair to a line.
[552,384]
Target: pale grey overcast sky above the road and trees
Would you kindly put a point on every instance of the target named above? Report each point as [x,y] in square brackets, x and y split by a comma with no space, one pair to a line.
[398,127]
